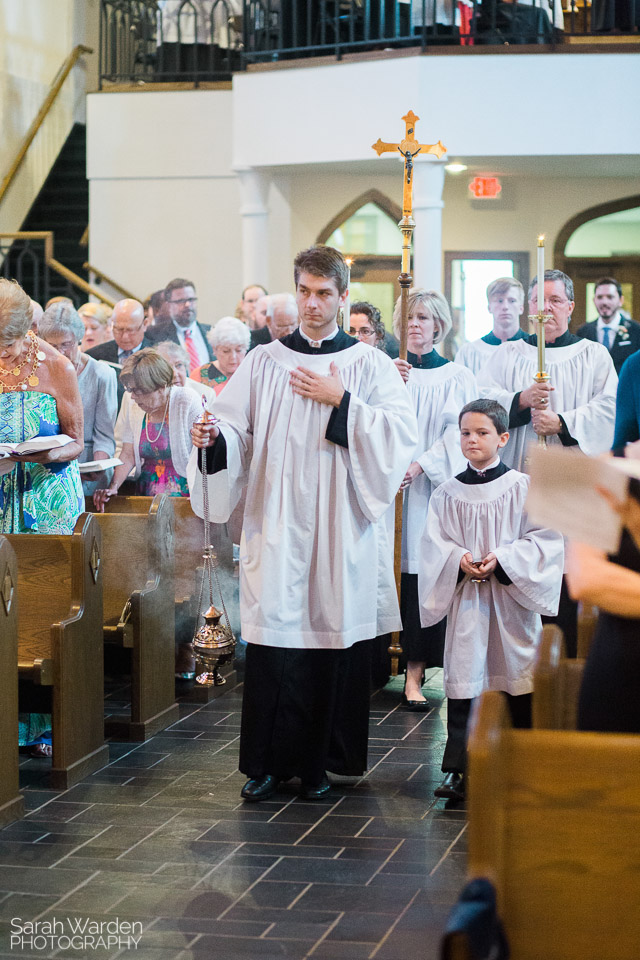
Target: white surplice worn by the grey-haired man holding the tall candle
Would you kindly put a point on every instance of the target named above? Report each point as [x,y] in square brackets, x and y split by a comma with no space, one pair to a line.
[584,380]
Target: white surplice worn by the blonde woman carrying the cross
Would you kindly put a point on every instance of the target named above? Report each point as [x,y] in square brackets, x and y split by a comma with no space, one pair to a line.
[437,396]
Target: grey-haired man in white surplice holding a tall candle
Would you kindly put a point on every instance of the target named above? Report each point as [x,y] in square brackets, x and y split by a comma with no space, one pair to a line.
[575,407]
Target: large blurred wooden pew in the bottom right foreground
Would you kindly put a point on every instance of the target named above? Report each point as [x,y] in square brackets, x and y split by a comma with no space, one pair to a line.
[554,823]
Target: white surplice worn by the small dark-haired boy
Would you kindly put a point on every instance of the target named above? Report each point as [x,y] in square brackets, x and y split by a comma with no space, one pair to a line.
[492,630]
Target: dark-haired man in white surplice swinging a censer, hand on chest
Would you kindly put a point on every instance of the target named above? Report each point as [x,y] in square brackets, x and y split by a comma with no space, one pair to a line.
[319,430]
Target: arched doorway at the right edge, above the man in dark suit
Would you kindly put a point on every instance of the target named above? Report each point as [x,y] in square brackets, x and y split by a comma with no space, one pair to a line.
[602,241]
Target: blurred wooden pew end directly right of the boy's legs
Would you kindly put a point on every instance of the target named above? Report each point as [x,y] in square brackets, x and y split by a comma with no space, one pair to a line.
[556,683]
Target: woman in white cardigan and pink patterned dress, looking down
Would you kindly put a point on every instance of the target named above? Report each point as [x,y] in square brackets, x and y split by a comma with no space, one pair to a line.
[155,429]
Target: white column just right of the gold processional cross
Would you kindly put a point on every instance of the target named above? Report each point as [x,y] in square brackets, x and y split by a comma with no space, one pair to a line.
[428,184]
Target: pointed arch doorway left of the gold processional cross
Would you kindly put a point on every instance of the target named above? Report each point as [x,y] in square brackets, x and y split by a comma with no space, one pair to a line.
[367,231]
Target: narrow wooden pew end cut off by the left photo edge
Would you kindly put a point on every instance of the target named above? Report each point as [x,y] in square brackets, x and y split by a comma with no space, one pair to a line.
[11,801]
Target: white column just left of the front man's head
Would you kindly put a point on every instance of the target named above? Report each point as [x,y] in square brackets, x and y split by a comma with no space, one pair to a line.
[254,210]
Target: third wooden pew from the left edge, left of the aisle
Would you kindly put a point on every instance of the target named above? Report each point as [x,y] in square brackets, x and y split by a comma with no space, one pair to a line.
[139,579]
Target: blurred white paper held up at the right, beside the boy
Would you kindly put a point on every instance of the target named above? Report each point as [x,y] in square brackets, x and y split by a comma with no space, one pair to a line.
[563,494]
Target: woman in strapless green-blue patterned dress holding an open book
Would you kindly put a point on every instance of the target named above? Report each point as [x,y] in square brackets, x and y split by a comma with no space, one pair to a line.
[39,493]
